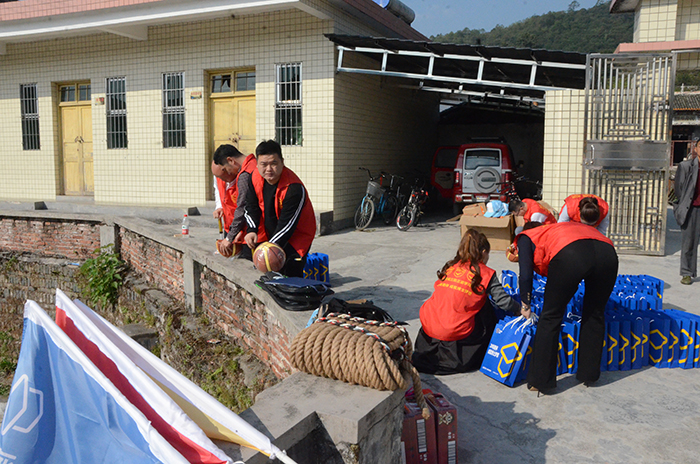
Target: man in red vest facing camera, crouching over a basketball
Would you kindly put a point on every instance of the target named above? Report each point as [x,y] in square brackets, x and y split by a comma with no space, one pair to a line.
[283,213]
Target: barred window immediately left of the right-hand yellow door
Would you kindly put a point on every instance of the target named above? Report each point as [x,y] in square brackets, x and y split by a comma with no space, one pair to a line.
[173,110]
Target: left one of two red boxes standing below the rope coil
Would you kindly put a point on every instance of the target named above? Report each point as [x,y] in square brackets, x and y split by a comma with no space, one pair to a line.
[418,444]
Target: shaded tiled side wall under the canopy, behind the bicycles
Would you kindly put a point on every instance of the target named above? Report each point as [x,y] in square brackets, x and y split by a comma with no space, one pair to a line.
[393,130]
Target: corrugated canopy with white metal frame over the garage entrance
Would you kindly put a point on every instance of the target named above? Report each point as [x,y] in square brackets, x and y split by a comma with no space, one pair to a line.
[467,69]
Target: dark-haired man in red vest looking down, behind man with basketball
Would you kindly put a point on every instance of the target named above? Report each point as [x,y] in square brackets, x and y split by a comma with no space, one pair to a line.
[233,194]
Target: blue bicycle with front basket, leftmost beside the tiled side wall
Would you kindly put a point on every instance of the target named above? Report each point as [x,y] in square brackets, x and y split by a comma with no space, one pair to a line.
[378,199]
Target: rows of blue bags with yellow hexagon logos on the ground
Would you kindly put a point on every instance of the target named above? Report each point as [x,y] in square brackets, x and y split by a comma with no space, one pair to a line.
[639,332]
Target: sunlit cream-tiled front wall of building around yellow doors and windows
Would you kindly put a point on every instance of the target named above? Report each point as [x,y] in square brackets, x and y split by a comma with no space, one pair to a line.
[148,174]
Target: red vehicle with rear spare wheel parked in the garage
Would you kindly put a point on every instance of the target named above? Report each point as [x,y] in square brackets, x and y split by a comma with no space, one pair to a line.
[478,168]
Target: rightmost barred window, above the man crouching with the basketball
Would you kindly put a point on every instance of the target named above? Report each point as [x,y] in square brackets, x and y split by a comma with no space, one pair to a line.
[288,128]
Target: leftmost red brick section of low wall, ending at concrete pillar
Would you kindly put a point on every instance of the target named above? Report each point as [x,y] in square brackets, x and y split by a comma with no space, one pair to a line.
[50,237]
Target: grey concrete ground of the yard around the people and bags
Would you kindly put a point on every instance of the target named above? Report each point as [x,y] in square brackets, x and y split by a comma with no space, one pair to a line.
[648,415]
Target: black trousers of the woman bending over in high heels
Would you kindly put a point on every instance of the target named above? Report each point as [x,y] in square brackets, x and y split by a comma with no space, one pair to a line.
[595,263]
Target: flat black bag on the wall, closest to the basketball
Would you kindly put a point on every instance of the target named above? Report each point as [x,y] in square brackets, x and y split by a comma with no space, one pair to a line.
[294,293]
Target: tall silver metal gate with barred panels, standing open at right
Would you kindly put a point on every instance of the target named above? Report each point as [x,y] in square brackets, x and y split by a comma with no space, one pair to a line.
[629,99]
